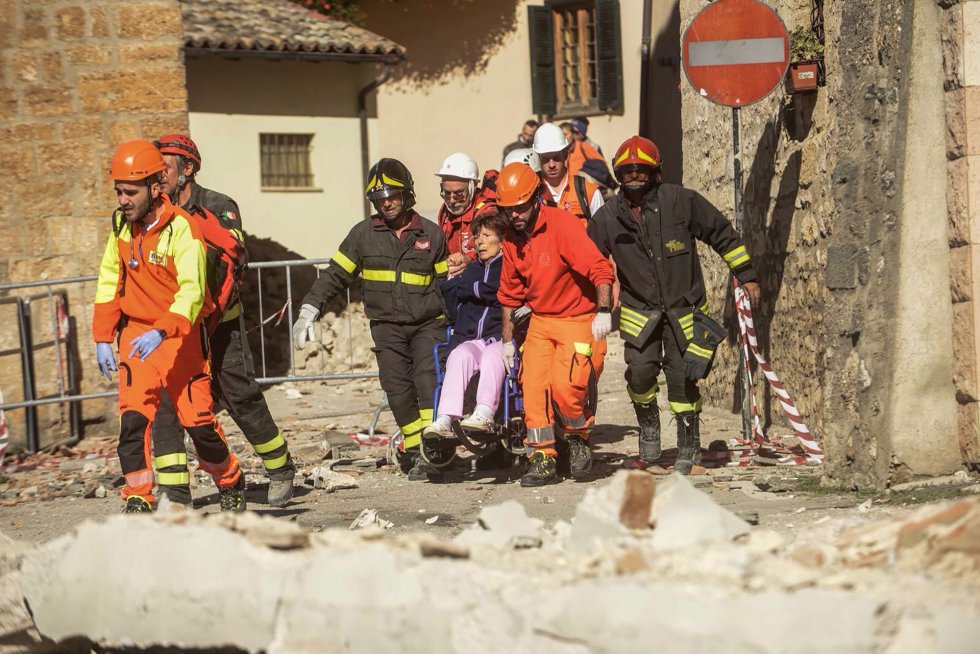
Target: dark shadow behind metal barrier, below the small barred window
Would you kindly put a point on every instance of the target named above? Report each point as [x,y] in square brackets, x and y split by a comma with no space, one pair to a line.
[273,299]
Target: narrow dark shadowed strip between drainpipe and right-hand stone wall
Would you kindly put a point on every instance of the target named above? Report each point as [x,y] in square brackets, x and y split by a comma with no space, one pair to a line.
[664,97]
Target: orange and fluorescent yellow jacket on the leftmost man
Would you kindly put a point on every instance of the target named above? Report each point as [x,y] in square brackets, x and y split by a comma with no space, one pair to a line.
[155,275]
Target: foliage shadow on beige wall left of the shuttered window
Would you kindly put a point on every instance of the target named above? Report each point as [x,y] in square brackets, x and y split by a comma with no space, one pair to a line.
[442,37]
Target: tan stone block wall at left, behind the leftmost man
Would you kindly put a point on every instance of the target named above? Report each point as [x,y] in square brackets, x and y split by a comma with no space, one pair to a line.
[78,78]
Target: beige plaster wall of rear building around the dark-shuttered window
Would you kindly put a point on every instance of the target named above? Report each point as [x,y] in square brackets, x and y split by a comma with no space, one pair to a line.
[467,84]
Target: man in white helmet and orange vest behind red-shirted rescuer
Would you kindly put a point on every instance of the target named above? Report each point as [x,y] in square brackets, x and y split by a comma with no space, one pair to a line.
[564,189]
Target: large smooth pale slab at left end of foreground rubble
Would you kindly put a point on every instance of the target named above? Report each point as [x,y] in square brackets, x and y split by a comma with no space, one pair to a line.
[88,583]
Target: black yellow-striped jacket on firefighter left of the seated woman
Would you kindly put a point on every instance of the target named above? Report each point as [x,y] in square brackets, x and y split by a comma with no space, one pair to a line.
[401,276]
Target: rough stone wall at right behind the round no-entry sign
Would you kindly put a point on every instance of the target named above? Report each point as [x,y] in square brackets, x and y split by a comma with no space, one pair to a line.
[828,222]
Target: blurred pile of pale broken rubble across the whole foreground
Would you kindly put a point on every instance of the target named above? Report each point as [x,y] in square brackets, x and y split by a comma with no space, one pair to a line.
[640,564]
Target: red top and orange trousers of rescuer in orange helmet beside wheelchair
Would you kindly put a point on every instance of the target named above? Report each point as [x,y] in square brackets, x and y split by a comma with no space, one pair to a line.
[555,271]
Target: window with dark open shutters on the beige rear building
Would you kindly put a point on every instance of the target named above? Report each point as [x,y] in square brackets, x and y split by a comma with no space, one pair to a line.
[576,57]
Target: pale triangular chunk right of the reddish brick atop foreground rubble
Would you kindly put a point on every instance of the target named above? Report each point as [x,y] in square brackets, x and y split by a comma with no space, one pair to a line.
[685,516]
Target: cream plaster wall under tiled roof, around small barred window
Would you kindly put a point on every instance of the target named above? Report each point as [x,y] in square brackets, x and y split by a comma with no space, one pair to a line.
[232,102]
